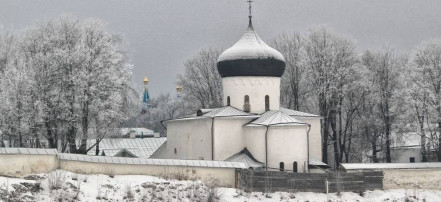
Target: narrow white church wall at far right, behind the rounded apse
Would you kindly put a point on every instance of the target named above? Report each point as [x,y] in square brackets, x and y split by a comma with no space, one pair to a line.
[315,136]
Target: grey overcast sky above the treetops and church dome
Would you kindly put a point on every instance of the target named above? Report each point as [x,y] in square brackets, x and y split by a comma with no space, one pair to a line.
[162,34]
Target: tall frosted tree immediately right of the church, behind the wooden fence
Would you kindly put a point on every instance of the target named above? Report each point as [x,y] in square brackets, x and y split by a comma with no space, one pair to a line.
[330,60]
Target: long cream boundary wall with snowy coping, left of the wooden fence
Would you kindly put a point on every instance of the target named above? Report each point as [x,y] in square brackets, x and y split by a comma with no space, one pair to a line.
[207,171]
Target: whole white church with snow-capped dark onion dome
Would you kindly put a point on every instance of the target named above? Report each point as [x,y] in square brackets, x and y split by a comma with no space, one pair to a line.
[251,127]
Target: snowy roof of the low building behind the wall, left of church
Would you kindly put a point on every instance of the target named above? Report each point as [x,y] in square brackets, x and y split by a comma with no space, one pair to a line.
[141,147]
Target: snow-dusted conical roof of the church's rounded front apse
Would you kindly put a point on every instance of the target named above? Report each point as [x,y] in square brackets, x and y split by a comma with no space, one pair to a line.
[272,118]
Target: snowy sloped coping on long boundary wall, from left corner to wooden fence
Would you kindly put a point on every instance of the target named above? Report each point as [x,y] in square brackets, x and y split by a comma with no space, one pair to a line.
[157,162]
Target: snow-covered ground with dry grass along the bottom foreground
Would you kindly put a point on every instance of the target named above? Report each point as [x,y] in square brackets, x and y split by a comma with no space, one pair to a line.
[67,186]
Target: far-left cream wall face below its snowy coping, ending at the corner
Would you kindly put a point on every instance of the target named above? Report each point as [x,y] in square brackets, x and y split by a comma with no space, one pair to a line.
[19,165]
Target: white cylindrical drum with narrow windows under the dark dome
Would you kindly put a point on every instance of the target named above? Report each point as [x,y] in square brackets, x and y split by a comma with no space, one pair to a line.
[256,87]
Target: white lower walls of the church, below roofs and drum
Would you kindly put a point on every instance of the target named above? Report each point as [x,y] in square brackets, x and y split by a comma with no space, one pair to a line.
[191,139]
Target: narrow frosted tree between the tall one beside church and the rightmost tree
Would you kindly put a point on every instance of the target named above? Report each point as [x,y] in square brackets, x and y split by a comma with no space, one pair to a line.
[384,81]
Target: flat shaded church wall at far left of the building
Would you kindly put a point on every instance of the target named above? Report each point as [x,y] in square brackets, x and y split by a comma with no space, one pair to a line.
[190,138]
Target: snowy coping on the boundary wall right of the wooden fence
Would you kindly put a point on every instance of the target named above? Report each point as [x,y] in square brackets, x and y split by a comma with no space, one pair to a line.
[381,166]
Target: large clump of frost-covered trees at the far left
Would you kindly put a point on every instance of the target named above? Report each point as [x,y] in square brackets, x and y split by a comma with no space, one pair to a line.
[66,81]
